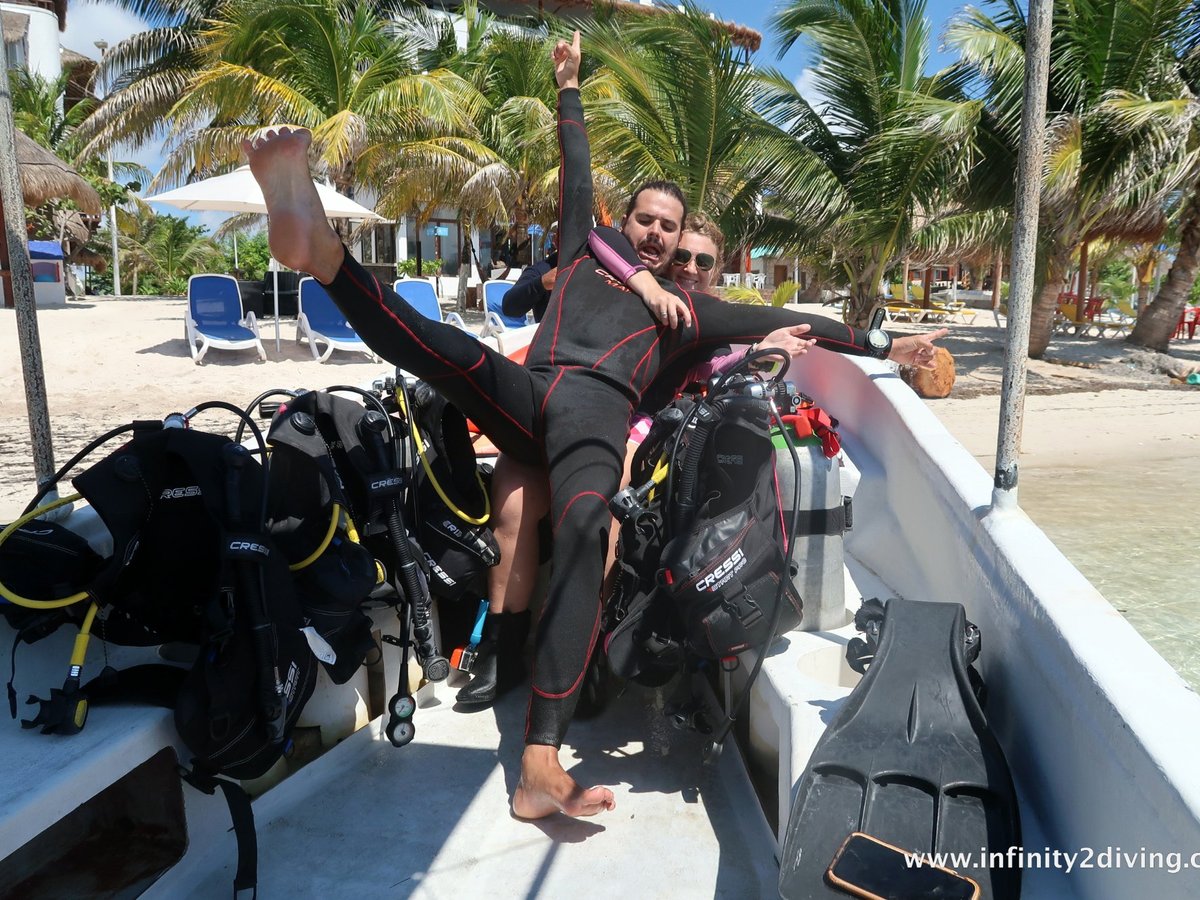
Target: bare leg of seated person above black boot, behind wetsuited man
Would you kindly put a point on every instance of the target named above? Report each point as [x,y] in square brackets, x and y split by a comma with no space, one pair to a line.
[520,499]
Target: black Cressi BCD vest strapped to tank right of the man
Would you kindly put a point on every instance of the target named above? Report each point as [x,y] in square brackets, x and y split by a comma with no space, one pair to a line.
[704,567]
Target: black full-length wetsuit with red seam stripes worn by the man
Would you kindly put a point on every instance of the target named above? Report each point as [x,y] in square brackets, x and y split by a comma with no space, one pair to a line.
[568,409]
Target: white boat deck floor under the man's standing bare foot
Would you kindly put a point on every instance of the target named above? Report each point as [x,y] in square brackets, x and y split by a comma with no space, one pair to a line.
[431,819]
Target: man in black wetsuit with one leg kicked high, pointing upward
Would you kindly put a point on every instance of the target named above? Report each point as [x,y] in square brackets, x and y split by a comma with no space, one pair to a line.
[567,410]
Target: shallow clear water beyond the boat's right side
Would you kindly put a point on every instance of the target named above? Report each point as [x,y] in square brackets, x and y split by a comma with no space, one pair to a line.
[1136,536]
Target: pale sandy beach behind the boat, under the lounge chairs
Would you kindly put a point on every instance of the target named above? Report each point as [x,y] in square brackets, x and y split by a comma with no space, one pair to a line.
[107,362]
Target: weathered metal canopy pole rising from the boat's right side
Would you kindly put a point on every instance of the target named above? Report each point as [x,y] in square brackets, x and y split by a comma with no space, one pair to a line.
[1024,255]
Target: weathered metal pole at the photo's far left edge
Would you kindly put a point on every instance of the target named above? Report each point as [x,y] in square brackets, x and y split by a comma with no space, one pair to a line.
[25,308]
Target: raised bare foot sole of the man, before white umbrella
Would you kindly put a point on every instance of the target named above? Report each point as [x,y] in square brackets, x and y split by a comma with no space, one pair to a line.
[298,233]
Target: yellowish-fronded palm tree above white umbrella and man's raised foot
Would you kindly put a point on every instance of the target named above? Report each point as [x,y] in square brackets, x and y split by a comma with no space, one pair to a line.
[212,74]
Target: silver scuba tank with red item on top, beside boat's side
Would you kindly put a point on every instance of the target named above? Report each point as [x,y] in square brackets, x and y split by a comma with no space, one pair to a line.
[817,566]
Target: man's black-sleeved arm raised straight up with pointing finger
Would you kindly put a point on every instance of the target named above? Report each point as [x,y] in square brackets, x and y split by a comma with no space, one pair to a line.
[575,196]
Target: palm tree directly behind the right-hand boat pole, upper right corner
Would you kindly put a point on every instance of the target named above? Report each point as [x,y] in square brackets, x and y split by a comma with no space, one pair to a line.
[1117,122]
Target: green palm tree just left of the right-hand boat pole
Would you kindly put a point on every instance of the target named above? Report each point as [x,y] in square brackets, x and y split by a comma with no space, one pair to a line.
[884,151]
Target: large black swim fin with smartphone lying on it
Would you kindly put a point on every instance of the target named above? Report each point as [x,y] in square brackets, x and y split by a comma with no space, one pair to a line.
[908,760]
